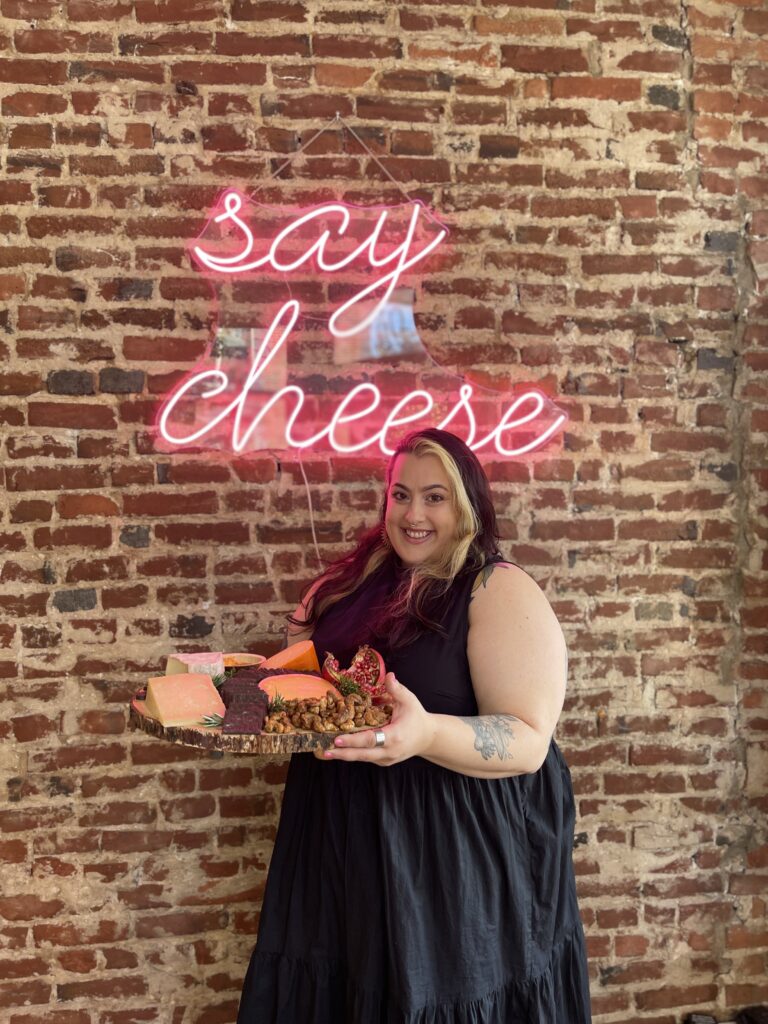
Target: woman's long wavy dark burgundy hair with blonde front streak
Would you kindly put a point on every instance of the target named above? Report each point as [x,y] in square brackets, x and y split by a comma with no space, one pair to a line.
[417,592]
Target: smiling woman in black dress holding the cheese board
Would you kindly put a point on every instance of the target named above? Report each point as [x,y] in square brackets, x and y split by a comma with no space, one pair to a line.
[423,875]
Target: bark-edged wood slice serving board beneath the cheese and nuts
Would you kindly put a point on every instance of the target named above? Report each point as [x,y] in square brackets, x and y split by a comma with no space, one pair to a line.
[212,739]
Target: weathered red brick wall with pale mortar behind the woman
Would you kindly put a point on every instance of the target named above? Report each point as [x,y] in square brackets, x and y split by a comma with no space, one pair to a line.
[604,165]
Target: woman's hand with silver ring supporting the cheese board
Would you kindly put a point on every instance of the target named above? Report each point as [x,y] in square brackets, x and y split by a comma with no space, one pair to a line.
[410,733]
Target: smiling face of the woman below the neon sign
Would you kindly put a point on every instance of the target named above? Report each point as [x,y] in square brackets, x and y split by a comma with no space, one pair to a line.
[420,520]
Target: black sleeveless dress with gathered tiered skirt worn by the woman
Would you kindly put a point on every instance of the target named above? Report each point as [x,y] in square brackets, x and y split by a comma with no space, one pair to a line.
[413,894]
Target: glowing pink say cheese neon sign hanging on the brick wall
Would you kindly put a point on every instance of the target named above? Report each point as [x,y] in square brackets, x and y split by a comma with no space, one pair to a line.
[373,323]
